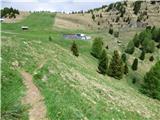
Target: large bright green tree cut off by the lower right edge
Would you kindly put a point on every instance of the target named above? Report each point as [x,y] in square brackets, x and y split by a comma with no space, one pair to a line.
[151,86]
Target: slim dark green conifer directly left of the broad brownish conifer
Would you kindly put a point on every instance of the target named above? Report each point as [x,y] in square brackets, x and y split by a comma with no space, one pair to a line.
[103,63]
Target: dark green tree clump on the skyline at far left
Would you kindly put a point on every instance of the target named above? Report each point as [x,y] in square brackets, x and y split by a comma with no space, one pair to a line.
[9,12]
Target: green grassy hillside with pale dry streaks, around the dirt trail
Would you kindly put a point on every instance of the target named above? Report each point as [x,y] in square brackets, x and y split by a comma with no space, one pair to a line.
[71,87]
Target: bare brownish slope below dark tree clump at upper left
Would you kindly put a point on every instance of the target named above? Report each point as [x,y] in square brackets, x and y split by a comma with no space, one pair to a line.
[18,18]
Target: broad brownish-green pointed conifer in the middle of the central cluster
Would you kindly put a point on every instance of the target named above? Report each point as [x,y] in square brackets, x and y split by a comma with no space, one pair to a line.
[116,66]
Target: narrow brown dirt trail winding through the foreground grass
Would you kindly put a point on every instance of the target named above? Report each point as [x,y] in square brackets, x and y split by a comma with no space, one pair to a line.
[33,98]
